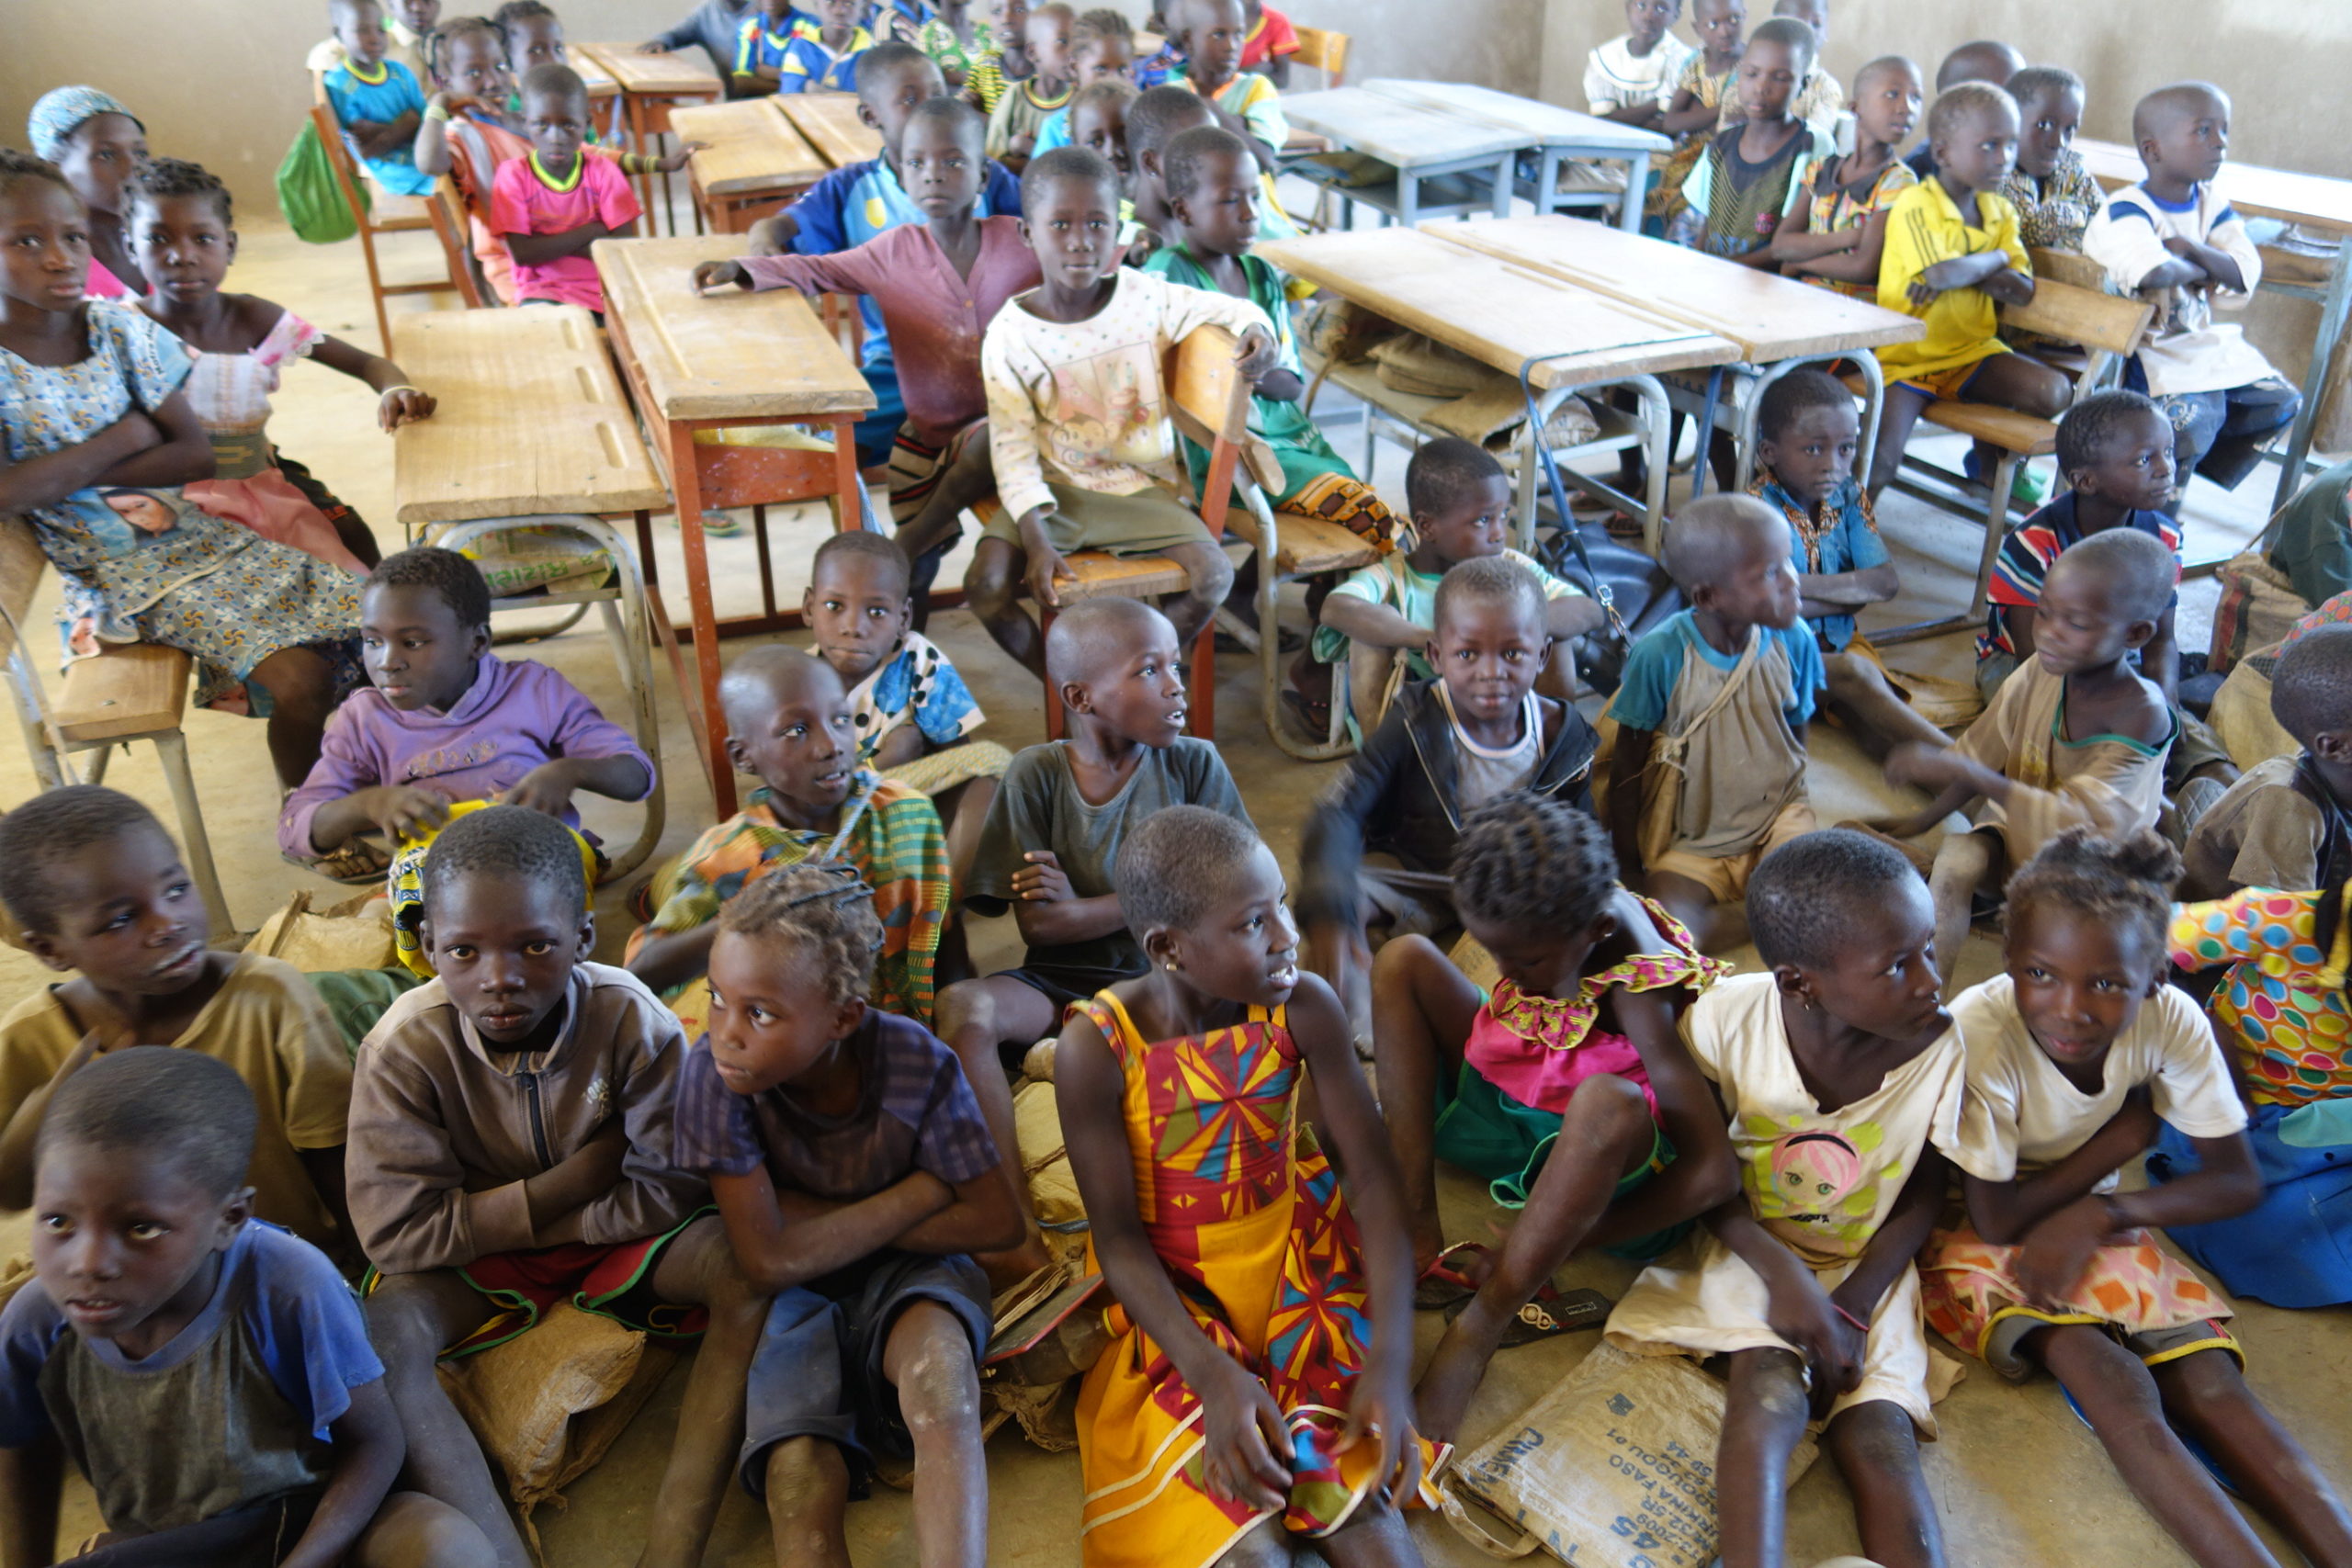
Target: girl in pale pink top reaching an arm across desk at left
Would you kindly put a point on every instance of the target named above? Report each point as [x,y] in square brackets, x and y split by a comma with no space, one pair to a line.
[187,241]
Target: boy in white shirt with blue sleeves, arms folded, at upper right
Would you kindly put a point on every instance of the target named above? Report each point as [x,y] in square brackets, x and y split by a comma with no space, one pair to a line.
[2174,239]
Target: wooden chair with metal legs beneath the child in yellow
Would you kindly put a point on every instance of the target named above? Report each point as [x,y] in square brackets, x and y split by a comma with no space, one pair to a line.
[2109,330]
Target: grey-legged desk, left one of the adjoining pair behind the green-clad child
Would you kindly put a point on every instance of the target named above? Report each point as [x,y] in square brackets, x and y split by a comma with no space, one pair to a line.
[1558,335]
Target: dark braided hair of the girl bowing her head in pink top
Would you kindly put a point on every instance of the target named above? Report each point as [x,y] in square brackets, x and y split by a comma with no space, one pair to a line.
[1532,864]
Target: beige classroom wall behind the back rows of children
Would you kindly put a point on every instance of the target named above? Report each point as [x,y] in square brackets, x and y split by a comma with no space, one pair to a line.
[222,81]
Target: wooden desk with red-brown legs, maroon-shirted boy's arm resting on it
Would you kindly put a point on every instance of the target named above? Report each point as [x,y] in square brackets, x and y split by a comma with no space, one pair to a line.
[709,363]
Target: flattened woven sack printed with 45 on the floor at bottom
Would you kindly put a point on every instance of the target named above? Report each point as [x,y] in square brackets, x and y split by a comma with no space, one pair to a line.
[1615,1468]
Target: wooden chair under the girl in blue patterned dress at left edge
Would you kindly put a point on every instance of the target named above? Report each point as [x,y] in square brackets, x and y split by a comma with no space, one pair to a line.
[131,692]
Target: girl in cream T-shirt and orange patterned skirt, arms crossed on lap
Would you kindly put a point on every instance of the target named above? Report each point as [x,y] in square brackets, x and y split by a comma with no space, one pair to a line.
[2076,1059]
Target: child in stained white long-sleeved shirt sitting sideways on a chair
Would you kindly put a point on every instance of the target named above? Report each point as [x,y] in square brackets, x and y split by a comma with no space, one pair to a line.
[1078,420]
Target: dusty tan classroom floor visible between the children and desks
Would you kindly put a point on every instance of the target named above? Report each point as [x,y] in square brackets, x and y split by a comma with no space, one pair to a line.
[2017,1477]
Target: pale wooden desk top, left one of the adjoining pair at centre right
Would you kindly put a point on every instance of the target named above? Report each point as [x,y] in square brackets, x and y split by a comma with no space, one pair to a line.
[1497,311]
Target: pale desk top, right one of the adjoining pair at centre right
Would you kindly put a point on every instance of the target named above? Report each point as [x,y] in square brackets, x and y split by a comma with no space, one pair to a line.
[1770,319]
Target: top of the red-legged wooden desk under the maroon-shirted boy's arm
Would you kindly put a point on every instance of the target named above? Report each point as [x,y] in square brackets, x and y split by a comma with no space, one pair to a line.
[709,361]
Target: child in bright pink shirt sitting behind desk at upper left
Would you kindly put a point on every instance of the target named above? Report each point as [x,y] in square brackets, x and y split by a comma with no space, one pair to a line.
[556,203]
